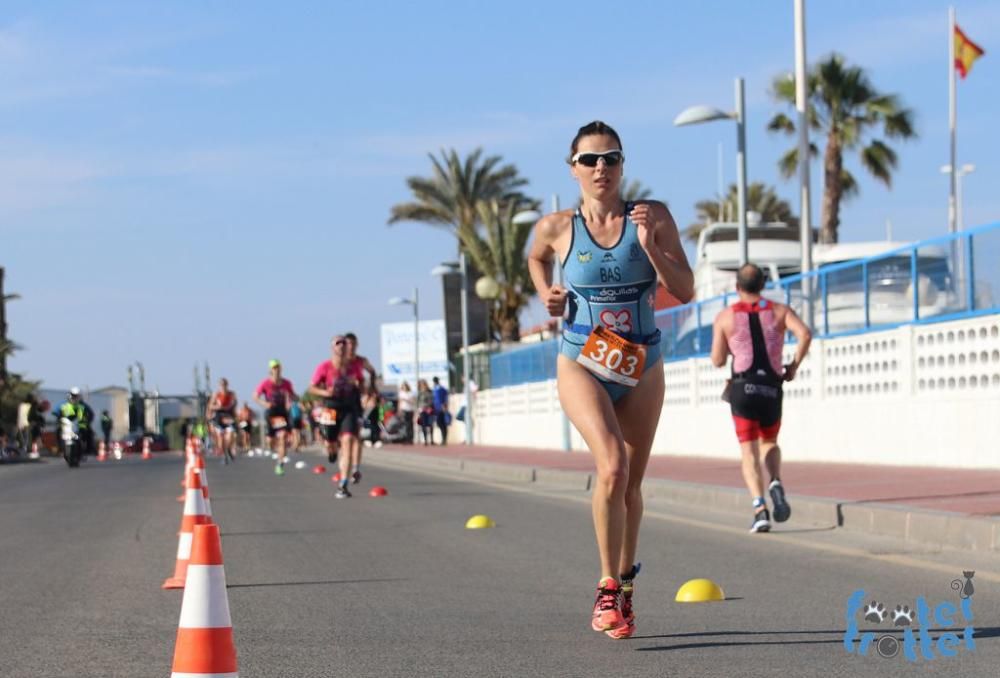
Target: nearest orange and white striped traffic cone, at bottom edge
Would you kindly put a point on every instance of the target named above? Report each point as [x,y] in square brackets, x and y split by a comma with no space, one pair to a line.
[204,644]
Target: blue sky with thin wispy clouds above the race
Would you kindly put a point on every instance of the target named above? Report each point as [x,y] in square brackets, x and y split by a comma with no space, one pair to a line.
[209,181]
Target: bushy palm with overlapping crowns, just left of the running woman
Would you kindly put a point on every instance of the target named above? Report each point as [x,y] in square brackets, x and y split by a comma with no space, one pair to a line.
[476,199]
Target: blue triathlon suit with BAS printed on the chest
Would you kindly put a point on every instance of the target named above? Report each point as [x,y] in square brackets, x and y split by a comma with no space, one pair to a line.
[610,286]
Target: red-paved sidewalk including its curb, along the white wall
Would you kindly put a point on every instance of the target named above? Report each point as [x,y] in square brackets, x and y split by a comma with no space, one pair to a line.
[934,506]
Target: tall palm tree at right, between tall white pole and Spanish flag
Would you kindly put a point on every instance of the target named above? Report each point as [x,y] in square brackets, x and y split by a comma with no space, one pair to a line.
[845,107]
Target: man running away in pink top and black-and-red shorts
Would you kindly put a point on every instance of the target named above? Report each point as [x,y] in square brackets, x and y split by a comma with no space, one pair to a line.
[753,331]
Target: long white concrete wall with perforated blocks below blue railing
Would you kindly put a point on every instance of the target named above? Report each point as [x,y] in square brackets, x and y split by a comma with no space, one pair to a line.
[921,395]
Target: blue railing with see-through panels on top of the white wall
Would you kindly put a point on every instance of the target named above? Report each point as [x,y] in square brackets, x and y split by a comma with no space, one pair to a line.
[944,278]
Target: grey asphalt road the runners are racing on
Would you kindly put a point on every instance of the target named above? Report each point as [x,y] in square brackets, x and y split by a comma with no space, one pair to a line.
[397,587]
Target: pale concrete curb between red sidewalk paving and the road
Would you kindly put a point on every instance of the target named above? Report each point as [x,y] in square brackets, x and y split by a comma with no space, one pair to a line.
[916,526]
